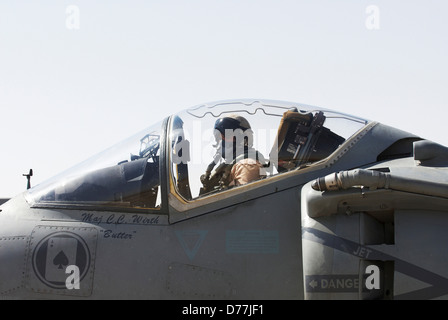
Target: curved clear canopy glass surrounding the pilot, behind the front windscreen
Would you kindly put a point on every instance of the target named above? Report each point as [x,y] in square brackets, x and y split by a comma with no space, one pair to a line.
[284,136]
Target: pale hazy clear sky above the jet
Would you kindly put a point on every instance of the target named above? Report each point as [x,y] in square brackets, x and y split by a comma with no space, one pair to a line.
[66,94]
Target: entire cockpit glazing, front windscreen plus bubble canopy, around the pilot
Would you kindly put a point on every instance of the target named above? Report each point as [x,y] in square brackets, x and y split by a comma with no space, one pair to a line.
[286,136]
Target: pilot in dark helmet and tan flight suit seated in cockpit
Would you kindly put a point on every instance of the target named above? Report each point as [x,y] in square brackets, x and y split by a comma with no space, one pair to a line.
[234,144]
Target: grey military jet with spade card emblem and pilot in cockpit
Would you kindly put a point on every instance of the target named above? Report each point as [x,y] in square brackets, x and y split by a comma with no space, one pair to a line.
[250,199]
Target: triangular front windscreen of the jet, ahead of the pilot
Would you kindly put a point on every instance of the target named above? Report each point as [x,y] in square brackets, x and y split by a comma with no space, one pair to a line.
[125,175]
